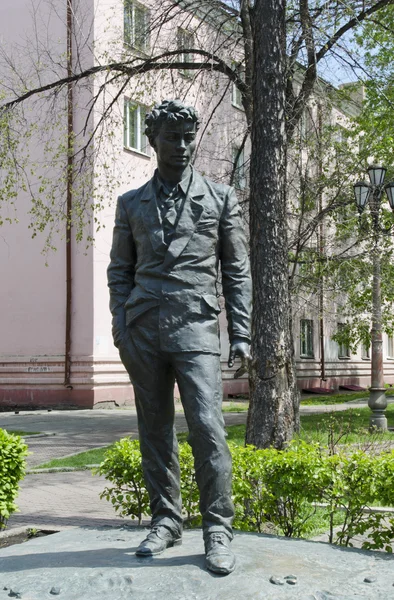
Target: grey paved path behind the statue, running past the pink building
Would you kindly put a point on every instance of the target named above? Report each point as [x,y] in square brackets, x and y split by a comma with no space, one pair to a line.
[58,500]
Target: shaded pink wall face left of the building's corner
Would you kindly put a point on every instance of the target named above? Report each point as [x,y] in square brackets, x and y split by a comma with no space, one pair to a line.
[33,299]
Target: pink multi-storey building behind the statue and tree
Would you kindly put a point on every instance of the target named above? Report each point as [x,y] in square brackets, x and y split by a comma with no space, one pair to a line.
[56,347]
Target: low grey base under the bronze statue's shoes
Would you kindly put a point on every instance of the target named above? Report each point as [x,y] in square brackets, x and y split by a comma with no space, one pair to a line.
[99,564]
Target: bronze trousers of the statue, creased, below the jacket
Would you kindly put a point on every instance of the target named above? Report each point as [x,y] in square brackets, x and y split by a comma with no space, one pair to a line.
[153,373]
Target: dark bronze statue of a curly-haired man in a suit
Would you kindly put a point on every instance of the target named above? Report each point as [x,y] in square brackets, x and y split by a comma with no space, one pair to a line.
[170,237]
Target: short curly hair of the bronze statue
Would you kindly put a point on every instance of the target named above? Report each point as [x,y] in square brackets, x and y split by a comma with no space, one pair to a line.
[168,111]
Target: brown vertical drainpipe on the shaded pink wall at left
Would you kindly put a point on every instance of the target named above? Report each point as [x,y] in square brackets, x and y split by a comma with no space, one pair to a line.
[69,198]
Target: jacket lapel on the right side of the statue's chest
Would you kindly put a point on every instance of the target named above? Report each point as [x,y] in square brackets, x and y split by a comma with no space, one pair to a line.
[191,213]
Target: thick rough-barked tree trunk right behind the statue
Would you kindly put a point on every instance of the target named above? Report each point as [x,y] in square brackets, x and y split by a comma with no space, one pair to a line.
[274,401]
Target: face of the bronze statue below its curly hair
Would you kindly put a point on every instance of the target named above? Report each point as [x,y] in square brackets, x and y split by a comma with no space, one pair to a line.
[175,144]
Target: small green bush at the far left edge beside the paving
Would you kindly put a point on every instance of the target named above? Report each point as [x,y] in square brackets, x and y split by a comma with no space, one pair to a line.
[13,452]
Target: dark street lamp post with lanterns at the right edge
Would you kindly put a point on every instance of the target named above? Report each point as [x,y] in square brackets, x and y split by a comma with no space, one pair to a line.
[372,194]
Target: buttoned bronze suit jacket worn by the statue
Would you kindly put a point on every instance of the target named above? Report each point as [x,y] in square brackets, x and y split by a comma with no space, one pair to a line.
[181,280]
